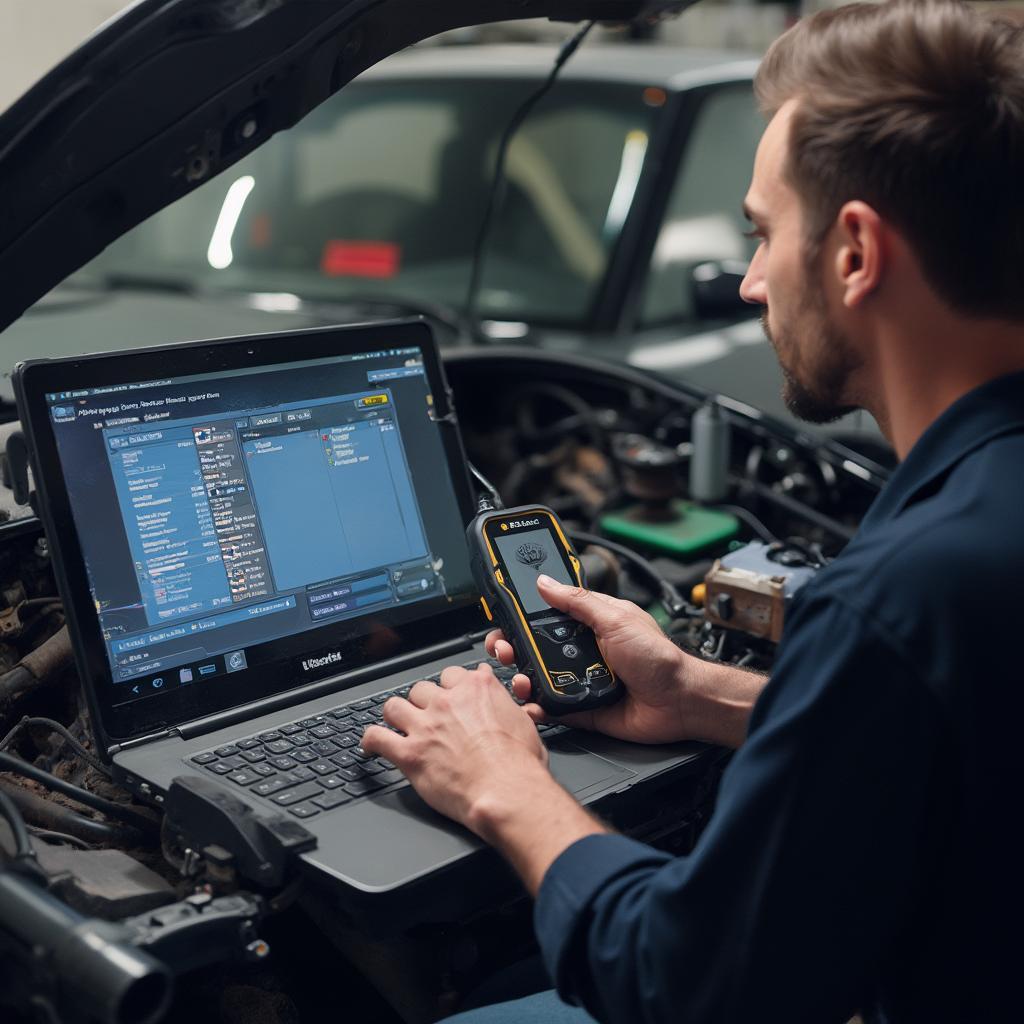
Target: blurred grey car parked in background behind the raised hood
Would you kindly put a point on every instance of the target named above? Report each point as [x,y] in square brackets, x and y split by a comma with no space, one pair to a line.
[620,234]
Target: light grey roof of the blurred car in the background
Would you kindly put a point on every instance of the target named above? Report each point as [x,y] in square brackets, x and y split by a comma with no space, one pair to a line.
[673,68]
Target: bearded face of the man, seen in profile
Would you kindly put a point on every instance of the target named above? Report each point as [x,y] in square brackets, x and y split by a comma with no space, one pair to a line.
[788,279]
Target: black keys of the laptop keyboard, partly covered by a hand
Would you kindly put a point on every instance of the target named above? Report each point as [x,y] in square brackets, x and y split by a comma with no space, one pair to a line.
[316,764]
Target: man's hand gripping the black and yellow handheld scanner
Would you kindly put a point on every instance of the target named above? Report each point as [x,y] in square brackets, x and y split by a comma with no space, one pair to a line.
[670,696]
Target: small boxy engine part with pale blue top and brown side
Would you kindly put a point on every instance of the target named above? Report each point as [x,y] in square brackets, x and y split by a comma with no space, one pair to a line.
[749,590]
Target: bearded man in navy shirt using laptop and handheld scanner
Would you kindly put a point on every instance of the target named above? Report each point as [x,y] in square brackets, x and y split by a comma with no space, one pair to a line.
[863,856]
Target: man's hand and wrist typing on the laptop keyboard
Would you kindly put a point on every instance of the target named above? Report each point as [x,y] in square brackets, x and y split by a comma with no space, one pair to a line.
[474,754]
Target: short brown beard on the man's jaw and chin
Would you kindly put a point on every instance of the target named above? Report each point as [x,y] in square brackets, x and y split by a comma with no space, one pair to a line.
[818,366]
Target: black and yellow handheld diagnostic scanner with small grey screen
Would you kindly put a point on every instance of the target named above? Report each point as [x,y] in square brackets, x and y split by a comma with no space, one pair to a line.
[508,551]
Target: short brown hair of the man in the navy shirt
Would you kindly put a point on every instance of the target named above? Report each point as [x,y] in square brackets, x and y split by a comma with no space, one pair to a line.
[916,107]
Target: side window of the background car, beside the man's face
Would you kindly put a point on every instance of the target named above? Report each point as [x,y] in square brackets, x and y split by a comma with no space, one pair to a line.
[704,220]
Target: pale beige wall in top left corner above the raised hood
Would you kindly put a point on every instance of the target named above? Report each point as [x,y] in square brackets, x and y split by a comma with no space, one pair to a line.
[36,34]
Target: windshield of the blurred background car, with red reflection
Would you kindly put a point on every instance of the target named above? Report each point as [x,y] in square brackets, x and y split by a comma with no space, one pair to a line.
[381,192]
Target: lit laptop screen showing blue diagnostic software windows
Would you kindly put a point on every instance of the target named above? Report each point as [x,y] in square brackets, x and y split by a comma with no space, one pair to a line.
[229,520]
